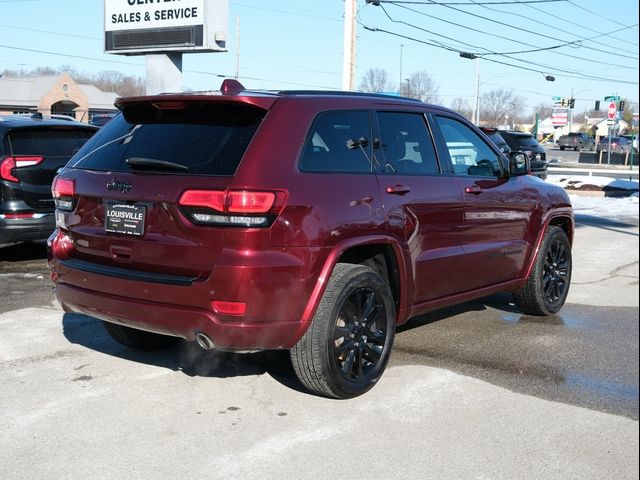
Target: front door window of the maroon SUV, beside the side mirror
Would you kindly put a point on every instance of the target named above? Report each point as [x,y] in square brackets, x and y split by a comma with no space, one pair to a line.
[470,155]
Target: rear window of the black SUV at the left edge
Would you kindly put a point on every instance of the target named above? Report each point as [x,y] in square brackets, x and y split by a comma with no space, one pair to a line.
[50,142]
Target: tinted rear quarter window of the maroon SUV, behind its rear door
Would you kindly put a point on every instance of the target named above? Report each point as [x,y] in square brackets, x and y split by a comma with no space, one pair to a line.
[338,141]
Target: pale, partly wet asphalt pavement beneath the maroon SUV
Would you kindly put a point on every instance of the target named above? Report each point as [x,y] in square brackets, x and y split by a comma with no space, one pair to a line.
[474,391]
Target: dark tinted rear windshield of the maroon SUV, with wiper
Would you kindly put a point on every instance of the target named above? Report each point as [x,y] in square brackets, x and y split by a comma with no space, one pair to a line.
[207,140]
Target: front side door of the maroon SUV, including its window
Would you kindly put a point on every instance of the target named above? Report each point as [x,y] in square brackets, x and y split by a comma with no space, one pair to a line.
[497,209]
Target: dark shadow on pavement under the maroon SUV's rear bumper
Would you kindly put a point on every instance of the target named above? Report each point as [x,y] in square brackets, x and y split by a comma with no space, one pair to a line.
[185,357]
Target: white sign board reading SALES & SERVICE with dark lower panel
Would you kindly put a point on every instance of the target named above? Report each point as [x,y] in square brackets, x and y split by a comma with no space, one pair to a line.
[145,26]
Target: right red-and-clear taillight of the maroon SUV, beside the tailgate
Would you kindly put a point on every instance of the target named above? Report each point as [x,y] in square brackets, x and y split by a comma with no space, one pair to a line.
[241,208]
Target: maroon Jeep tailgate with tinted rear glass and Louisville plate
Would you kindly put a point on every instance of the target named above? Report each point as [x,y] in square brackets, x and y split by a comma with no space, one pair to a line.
[131,175]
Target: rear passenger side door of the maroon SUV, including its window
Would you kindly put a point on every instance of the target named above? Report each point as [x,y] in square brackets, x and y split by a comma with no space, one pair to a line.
[423,205]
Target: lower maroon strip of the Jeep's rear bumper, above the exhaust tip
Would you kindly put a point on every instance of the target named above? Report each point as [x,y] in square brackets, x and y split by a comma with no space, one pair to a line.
[178,320]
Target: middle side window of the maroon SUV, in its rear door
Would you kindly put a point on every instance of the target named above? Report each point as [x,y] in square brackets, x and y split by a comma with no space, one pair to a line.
[406,144]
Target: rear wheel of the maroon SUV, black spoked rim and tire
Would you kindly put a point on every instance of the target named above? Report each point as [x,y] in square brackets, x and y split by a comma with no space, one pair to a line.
[345,350]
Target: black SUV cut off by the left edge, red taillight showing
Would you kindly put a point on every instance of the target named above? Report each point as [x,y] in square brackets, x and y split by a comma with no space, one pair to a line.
[32,149]
